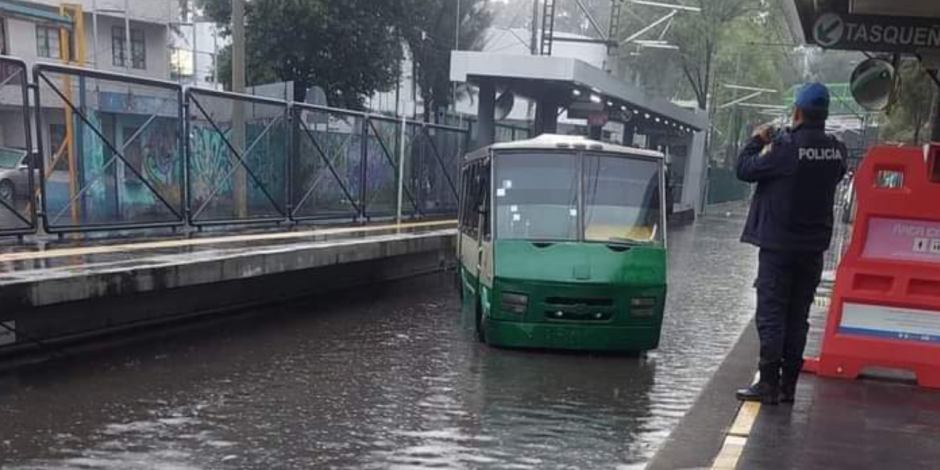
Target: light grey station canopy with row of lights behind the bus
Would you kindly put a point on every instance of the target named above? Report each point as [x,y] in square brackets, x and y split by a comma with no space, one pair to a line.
[572,81]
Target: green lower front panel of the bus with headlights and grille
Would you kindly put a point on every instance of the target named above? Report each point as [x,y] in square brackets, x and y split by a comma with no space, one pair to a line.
[579,281]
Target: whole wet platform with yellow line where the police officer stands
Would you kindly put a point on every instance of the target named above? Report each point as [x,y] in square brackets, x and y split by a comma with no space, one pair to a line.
[871,424]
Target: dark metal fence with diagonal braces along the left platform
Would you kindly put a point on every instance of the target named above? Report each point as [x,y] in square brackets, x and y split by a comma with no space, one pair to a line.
[119,152]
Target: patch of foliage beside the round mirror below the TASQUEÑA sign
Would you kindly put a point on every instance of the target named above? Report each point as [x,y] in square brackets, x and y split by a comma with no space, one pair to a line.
[909,118]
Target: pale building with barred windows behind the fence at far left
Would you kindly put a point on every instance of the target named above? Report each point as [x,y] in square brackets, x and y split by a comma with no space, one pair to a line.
[83,119]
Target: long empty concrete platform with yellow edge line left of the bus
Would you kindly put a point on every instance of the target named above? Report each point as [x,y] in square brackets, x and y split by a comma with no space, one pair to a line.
[52,296]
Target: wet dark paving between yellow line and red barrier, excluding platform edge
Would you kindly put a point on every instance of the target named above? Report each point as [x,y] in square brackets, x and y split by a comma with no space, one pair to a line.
[837,424]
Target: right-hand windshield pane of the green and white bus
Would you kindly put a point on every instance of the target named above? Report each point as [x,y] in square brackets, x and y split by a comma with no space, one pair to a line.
[621,200]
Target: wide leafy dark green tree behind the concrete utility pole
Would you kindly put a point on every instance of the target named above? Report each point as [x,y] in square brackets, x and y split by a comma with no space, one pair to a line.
[350,48]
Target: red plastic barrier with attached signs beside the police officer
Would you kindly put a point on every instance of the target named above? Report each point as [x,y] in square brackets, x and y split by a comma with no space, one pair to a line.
[885,309]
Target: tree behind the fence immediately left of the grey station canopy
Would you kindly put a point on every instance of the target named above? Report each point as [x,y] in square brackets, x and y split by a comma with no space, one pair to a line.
[429,31]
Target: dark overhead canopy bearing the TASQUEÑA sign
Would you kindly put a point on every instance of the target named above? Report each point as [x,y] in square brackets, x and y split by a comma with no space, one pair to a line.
[901,26]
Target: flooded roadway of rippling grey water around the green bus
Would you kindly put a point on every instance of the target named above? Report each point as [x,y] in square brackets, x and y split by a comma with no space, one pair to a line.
[384,378]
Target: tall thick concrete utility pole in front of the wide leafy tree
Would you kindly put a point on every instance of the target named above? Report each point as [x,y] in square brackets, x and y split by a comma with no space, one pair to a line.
[240,179]
